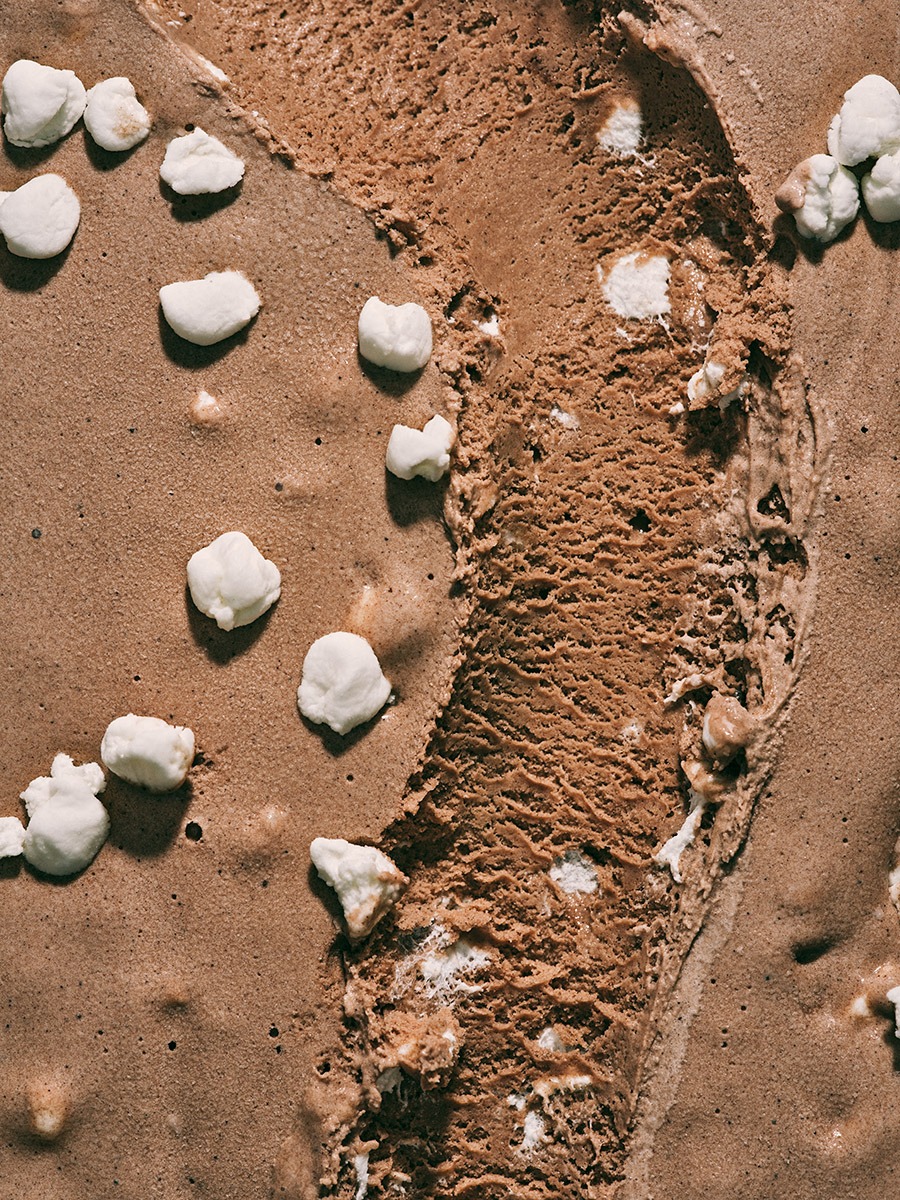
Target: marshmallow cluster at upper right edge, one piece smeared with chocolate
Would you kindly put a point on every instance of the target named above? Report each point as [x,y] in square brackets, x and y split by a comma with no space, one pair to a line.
[823,194]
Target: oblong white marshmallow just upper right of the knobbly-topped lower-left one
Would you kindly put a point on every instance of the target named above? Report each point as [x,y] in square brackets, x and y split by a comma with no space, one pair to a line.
[148,752]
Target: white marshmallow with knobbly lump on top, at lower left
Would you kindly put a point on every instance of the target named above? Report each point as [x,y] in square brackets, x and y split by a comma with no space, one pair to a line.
[68,825]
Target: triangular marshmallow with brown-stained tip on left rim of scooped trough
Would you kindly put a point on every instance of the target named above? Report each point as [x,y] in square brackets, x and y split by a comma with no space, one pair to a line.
[367,881]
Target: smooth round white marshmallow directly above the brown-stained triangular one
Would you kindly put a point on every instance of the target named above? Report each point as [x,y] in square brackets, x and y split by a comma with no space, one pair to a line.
[343,685]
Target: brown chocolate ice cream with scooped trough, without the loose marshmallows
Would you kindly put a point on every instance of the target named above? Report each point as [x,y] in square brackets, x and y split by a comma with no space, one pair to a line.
[622,809]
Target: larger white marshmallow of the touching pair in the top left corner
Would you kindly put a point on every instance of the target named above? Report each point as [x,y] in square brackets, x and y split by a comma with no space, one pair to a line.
[40,104]
